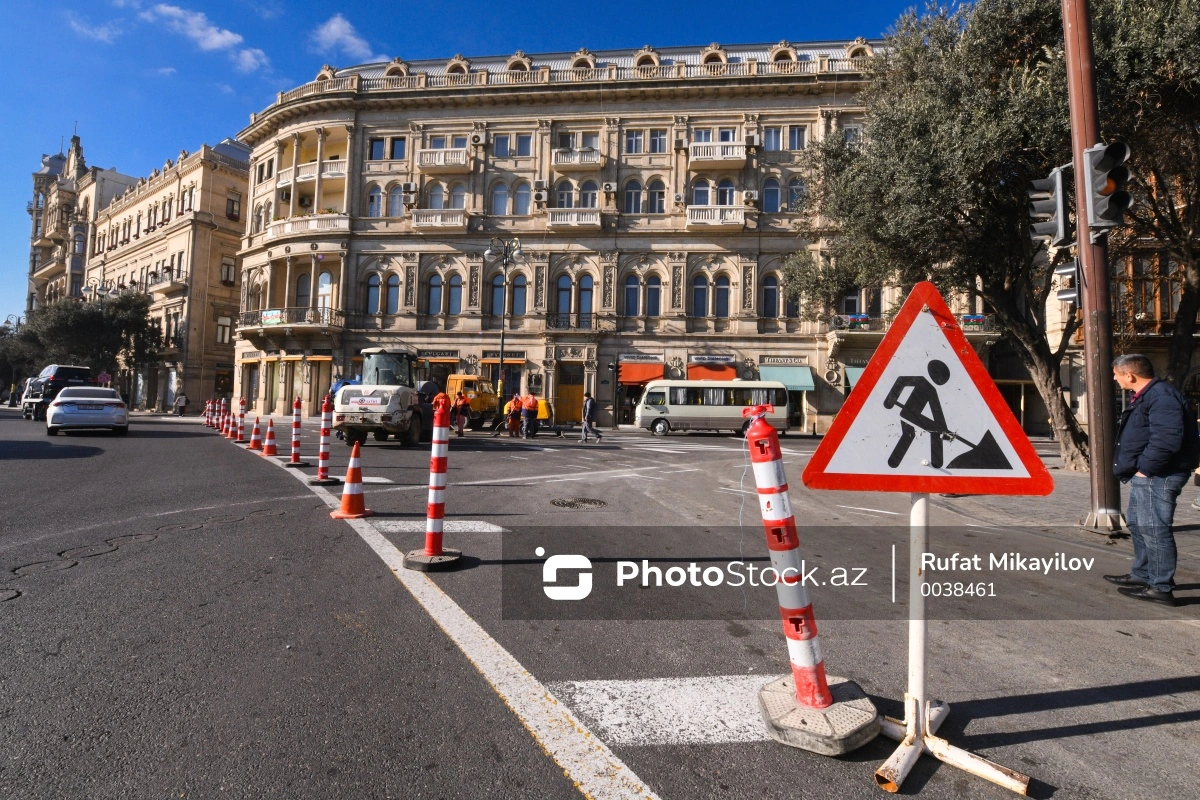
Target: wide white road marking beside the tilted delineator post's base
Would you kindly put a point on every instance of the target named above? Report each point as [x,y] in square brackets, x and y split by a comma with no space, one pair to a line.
[716,711]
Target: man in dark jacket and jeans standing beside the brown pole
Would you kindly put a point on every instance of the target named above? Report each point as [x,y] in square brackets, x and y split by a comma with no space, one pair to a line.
[1157,449]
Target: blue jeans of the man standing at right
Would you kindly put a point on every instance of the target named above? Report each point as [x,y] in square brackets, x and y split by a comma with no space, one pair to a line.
[1150,515]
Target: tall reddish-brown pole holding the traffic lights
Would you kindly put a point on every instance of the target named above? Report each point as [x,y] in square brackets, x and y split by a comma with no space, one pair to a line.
[1094,258]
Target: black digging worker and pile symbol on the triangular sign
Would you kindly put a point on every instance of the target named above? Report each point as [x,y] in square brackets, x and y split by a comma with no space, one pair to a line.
[986,455]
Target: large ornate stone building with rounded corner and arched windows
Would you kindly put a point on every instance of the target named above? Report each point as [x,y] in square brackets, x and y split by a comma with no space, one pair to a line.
[652,191]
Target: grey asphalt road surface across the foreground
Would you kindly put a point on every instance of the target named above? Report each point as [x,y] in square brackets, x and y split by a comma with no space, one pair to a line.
[191,623]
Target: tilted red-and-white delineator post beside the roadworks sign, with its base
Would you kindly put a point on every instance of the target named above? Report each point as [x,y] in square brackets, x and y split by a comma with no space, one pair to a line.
[806,709]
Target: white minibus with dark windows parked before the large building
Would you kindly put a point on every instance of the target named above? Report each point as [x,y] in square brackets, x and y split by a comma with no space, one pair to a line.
[709,405]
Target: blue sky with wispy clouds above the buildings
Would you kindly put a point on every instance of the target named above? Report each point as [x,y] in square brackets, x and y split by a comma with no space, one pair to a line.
[145,80]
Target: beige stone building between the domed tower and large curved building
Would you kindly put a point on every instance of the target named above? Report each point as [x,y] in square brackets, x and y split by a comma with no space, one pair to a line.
[176,236]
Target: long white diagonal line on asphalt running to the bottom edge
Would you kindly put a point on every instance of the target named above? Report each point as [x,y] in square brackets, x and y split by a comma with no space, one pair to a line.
[596,771]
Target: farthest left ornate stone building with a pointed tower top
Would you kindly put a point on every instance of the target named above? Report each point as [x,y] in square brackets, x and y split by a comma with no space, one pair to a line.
[68,195]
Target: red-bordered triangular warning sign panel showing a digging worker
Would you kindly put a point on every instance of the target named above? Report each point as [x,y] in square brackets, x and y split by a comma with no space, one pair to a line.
[926,417]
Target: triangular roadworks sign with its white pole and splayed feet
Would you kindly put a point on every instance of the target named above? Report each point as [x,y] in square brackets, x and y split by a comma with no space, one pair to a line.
[926,418]
